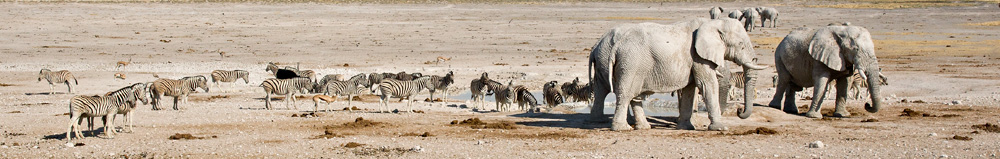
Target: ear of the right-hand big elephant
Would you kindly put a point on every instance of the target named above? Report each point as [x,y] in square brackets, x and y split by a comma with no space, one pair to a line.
[824,47]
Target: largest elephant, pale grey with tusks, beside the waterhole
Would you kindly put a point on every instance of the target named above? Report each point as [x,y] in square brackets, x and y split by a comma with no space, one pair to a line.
[637,60]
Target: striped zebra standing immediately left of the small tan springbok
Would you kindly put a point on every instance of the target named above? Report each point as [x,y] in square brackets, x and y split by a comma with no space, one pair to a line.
[287,87]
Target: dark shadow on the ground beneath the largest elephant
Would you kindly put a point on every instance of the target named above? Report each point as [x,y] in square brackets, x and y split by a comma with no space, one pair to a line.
[580,121]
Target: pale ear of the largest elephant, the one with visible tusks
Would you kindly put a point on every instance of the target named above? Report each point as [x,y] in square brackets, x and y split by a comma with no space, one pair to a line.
[708,43]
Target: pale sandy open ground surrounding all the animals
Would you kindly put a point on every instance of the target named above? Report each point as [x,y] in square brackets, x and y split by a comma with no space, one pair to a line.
[932,56]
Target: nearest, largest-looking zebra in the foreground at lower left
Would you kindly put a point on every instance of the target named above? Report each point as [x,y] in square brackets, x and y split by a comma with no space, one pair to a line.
[107,106]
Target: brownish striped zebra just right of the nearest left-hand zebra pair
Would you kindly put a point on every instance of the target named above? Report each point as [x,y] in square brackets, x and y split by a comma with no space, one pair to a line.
[176,88]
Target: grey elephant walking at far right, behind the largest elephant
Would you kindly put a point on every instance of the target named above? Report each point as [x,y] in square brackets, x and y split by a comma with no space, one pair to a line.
[814,58]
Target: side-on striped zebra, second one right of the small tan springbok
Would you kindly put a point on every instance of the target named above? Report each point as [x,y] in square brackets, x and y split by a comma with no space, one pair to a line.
[393,88]
